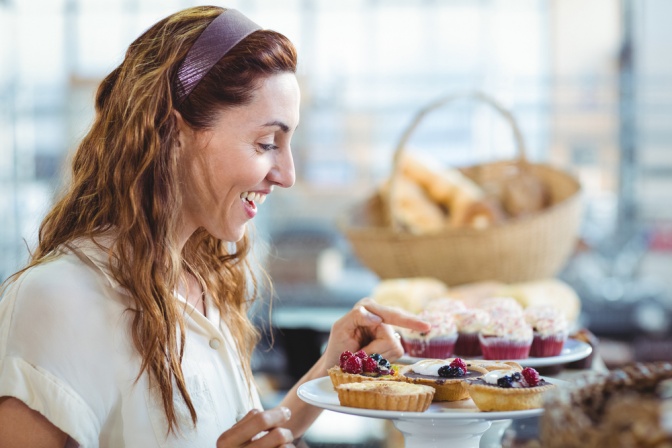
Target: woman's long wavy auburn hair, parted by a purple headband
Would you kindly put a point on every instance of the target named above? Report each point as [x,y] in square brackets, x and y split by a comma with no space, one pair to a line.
[124,179]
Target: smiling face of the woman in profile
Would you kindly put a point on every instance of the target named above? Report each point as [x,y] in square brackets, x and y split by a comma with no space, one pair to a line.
[227,171]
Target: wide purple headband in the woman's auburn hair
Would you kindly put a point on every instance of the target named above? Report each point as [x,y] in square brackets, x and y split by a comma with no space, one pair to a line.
[223,33]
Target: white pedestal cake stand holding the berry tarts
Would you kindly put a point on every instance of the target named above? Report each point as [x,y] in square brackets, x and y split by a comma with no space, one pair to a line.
[451,424]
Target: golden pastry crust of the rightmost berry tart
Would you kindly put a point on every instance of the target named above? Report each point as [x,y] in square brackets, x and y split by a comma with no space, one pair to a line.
[492,398]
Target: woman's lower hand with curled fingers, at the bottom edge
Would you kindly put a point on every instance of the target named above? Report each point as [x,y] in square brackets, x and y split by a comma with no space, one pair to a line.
[259,429]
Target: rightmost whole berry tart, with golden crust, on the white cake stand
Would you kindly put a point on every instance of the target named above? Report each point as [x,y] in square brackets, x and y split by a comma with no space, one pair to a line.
[506,390]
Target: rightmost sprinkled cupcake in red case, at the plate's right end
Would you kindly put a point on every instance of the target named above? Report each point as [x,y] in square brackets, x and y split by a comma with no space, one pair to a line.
[549,328]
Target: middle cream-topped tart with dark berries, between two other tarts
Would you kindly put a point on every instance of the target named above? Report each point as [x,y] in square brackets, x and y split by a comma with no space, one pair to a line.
[446,376]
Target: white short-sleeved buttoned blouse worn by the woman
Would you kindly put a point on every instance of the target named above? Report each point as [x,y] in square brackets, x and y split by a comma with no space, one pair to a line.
[66,351]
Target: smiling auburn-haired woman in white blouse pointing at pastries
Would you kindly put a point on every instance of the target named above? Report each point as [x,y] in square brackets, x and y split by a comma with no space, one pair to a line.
[129,326]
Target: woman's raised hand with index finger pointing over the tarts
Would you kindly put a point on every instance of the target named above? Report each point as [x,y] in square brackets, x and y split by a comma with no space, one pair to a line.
[369,327]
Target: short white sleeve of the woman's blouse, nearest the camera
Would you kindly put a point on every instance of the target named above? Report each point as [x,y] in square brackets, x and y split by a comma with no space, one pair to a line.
[54,334]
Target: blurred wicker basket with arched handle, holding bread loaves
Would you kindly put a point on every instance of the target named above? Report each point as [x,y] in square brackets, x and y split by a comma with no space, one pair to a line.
[522,249]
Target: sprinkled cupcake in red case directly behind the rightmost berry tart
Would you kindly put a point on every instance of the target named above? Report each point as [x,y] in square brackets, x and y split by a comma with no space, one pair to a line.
[506,338]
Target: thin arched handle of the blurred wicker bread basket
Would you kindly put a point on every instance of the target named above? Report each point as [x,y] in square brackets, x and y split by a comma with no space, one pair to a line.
[420,115]
